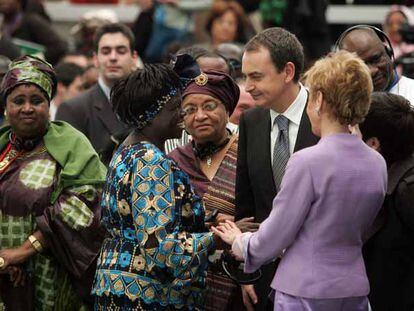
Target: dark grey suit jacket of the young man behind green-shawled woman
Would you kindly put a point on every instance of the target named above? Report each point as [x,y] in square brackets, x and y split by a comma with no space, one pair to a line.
[91,113]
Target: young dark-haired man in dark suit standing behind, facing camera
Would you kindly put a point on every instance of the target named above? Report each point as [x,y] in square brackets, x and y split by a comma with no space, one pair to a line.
[91,112]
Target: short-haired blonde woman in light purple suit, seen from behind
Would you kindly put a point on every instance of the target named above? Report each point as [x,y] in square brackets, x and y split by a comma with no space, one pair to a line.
[329,197]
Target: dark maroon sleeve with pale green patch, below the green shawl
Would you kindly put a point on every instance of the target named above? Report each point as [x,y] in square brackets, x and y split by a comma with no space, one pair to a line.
[68,224]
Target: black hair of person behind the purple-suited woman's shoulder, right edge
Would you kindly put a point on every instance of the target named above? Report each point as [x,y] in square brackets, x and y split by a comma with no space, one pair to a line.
[391,120]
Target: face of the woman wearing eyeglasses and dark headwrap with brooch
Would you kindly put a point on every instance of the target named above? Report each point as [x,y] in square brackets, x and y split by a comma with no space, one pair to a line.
[205,118]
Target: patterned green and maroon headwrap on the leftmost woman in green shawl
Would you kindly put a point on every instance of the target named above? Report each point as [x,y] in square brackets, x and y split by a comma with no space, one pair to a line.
[30,69]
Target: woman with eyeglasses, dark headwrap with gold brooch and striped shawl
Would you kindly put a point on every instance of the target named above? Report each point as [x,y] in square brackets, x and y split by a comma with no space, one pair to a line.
[210,161]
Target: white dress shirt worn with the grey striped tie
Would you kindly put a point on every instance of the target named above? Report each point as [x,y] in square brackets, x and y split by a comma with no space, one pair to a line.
[294,114]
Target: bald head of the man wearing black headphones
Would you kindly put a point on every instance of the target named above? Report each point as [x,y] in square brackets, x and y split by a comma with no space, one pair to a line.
[369,47]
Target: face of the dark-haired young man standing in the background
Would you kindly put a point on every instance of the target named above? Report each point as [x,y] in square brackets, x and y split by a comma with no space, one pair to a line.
[114,57]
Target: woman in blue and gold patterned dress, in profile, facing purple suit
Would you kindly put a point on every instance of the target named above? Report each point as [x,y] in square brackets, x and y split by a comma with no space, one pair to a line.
[156,255]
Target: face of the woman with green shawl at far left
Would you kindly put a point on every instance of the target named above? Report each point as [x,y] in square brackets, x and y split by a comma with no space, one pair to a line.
[27,111]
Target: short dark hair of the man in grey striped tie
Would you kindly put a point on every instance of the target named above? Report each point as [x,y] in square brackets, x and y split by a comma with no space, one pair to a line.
[283,47]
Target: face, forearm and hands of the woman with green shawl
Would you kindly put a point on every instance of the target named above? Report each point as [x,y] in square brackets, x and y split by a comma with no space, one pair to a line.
[27,109]
